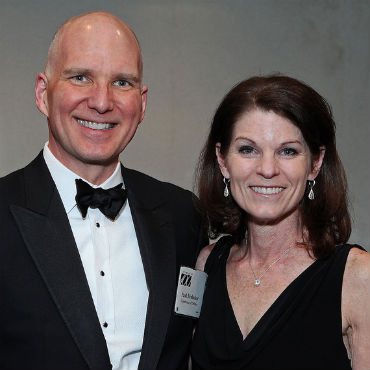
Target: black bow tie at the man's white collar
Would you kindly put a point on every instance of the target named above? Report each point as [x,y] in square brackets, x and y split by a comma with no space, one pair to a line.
[109,201]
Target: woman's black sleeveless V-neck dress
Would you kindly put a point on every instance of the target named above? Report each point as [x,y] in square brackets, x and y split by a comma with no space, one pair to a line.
[301,330]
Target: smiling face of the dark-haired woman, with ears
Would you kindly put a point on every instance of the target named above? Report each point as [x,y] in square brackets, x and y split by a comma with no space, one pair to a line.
[268,164]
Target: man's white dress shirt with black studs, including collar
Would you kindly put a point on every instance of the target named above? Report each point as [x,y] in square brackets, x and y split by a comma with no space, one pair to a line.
[114,270]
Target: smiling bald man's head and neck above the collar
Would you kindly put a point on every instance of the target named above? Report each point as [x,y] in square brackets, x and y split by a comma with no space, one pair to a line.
[92,92]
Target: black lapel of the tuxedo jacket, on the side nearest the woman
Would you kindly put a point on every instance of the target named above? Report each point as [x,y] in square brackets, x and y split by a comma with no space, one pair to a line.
[154,232]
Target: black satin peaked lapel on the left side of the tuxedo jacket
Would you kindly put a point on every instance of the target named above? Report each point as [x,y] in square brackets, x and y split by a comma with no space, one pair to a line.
[45,229]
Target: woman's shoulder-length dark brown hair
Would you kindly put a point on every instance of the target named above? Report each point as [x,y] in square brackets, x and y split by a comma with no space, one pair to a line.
[326,218]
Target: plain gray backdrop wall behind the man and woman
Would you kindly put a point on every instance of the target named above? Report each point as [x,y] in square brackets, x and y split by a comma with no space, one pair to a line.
[194,52]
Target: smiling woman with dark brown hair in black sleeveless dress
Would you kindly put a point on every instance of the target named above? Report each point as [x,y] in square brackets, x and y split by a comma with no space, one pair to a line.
[284,291]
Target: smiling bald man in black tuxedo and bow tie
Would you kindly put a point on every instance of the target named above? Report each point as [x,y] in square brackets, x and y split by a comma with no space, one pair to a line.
[90,250]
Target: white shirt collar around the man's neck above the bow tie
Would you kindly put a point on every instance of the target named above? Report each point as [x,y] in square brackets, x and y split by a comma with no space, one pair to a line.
[64,179]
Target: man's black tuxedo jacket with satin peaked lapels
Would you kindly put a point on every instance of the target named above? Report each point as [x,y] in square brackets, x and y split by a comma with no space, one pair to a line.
[48,318]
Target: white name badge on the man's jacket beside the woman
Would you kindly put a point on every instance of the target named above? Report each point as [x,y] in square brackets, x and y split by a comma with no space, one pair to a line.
[190,290]
